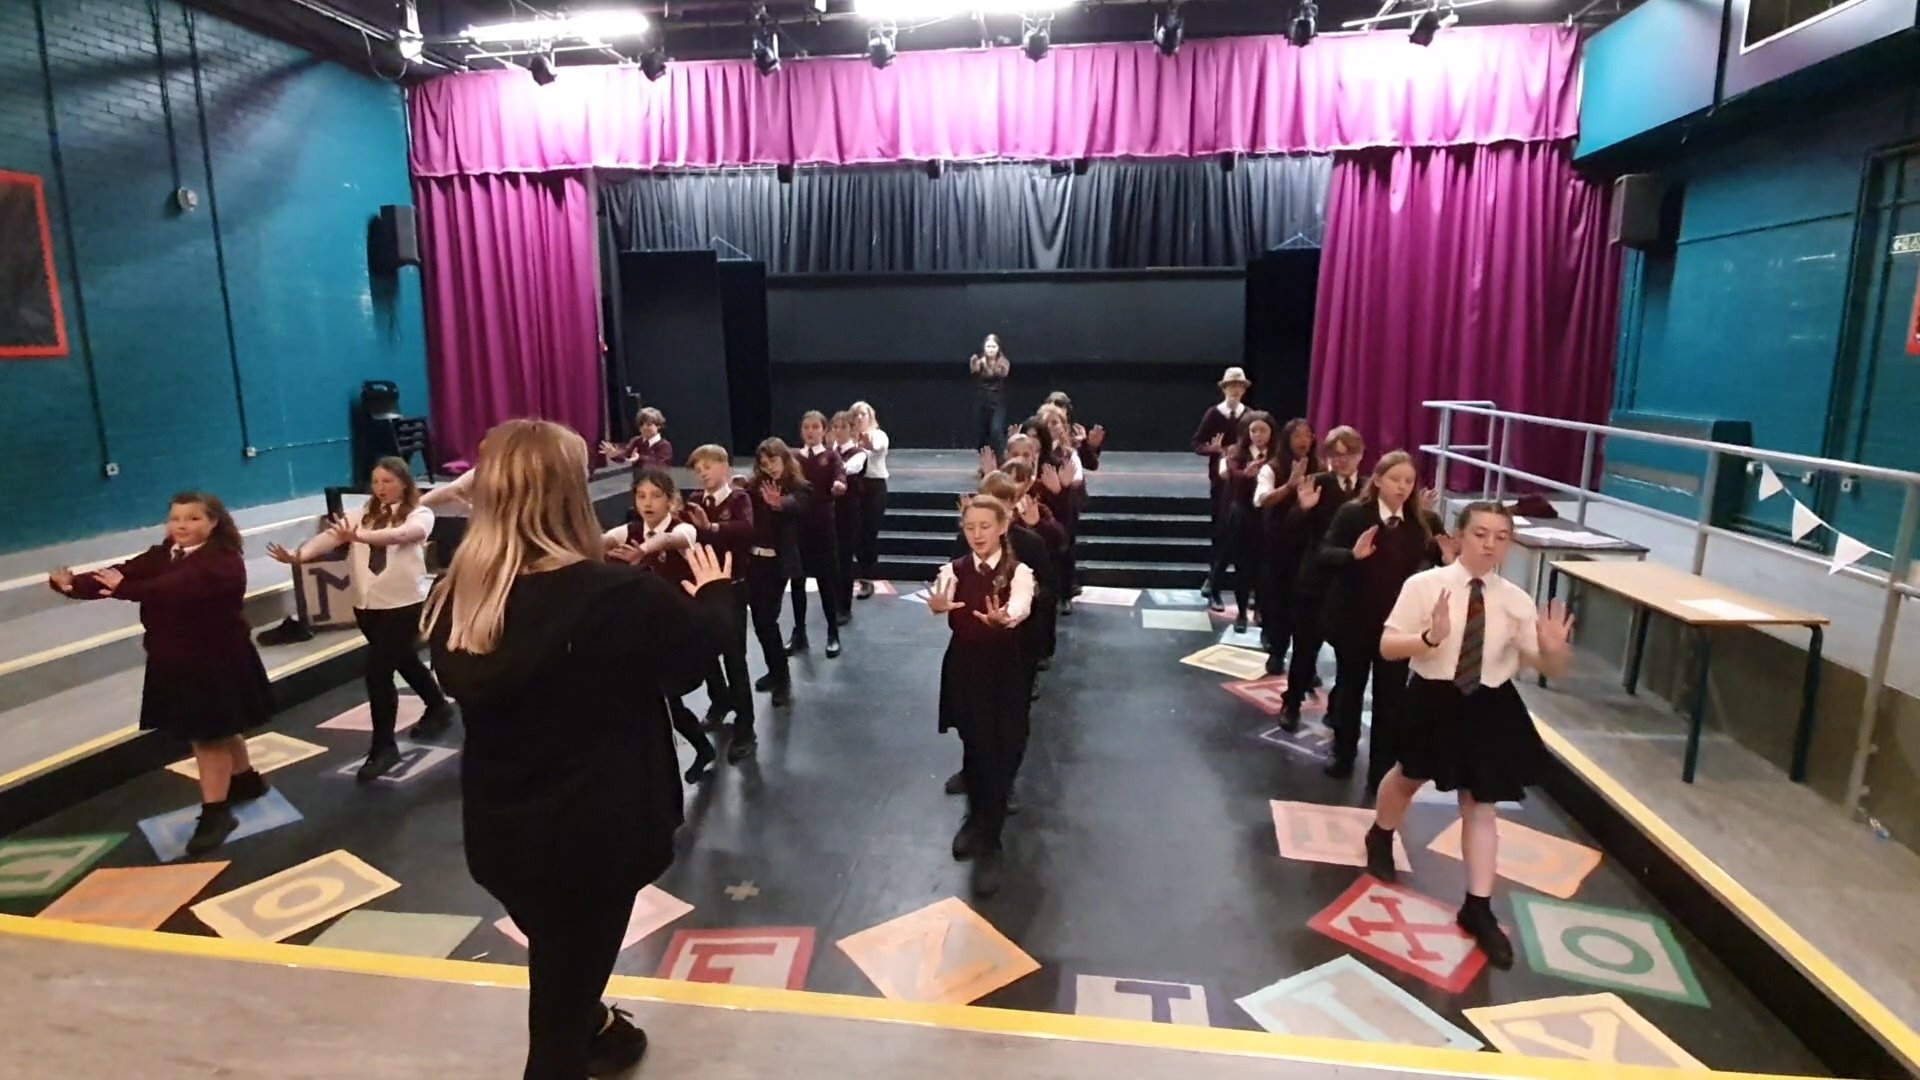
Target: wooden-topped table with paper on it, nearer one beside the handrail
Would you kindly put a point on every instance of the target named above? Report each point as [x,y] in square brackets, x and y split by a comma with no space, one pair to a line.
[1704,606]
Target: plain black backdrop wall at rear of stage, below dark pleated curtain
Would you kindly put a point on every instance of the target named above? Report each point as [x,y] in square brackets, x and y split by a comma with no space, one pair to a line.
[1138,351]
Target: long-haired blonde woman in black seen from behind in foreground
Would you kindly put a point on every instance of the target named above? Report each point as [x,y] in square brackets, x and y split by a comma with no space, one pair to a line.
[562,664]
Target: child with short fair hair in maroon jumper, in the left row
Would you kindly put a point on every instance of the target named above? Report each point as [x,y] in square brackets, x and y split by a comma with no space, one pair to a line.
[723,520]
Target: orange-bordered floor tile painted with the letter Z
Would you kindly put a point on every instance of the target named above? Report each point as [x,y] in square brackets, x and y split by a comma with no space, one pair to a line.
[942,954]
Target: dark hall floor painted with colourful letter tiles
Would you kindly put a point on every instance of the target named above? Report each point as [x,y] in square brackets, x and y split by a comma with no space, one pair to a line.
[1147,854]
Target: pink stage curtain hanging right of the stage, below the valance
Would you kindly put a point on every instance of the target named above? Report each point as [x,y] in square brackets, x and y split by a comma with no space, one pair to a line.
[1468,272]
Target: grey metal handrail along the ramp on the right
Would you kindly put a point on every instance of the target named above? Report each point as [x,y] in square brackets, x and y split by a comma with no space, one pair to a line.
[1896,583]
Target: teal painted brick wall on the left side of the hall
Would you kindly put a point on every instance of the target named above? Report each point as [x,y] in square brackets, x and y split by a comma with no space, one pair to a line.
[149,97]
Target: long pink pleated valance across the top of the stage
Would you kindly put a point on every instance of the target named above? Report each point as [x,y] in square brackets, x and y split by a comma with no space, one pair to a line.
[1260,95]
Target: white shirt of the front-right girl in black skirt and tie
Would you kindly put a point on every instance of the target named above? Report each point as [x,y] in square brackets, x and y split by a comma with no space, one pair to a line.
[1512,624]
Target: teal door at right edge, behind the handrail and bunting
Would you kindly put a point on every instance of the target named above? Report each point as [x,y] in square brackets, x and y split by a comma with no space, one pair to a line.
[1879,381]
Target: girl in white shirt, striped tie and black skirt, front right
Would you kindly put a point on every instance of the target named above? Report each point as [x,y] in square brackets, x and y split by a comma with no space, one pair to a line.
[1466,631]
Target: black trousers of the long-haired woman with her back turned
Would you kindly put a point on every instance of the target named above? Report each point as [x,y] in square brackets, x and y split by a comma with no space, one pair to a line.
[573,941]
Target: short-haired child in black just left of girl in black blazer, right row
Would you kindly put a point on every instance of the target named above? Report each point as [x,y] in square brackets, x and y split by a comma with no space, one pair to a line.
[1305,528]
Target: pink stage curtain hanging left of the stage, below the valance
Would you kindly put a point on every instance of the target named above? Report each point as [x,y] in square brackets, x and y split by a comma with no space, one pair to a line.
[512,305]
